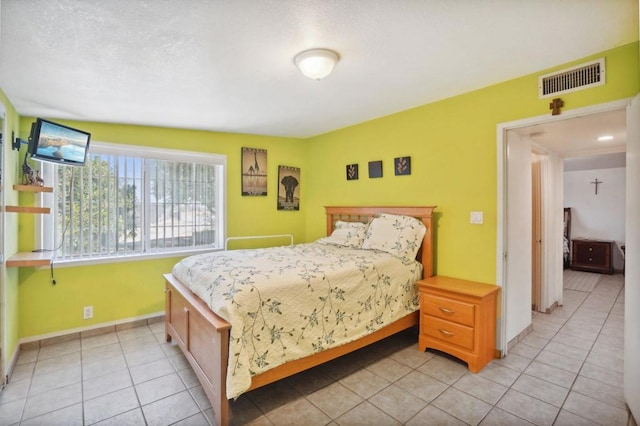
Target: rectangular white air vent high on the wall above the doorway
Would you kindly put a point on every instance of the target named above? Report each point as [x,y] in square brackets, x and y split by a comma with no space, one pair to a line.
[571,79]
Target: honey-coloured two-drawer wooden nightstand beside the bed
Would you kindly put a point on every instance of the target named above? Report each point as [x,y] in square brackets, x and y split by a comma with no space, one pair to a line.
[459,317]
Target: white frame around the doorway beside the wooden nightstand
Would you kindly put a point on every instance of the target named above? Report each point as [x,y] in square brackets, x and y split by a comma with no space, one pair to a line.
[501,243]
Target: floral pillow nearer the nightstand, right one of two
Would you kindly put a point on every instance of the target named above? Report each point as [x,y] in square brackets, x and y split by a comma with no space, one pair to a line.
[398,235]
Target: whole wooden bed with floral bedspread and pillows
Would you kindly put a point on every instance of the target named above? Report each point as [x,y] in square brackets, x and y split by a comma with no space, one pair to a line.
[259,350]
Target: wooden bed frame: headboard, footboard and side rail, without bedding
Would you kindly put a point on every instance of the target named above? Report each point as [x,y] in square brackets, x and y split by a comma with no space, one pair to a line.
[203,336]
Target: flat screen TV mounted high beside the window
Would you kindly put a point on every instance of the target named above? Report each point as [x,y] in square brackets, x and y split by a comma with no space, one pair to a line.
[57,143]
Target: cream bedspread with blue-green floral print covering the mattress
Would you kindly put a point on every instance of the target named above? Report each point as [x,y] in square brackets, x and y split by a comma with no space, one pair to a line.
[284,303]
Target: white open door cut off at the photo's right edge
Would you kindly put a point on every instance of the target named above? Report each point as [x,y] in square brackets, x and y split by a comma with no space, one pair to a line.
[632,263]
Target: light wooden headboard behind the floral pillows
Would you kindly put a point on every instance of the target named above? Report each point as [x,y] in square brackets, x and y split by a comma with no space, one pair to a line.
[366,213]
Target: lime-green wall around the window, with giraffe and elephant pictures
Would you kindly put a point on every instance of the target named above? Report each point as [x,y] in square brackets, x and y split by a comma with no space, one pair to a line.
[129,289]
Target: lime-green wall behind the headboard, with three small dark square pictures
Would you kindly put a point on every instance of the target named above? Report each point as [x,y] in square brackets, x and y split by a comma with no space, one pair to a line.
[452,144]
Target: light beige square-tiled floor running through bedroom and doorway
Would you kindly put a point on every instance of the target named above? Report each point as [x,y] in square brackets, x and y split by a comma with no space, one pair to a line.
[567,371]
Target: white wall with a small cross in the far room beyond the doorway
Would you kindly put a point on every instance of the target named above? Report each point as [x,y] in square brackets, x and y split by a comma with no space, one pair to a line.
[597,216]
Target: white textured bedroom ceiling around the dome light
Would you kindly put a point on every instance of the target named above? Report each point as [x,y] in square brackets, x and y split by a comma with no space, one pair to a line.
[228,65]
